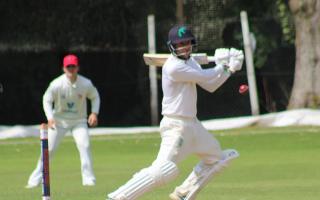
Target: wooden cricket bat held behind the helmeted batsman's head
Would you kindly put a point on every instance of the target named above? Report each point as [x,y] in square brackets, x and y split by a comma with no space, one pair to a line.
[159,59]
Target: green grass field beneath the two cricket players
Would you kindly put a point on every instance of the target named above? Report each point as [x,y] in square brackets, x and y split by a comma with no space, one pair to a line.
[275,164]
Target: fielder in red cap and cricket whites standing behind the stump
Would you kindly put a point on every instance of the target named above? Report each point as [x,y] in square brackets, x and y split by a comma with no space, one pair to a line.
[65,107]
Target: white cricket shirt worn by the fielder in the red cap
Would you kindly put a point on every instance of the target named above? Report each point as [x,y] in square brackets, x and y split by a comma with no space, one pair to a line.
[67,103]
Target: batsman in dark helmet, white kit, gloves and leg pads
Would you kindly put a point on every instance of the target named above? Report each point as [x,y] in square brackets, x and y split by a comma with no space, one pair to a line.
[181,132]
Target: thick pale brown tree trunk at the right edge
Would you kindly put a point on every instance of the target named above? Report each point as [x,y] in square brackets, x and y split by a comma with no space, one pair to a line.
[306,87]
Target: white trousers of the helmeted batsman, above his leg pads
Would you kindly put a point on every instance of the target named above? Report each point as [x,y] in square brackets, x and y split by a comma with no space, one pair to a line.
[184,136]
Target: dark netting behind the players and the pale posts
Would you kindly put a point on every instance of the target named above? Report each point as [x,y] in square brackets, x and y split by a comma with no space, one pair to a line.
[110,37]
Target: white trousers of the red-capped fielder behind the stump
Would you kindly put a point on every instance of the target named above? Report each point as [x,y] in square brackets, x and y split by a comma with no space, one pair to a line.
[80,134]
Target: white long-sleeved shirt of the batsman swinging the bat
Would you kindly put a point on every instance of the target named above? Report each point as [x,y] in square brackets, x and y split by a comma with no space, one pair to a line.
[179,79]
